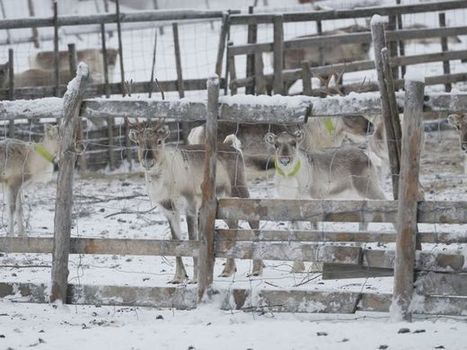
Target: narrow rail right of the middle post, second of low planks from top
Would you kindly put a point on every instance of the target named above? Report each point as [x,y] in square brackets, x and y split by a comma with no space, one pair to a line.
[330,236]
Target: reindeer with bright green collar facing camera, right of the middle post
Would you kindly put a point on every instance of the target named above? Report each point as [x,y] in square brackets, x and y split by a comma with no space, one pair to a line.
[342,173]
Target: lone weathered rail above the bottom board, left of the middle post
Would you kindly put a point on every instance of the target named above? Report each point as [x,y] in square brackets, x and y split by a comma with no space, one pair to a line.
[101,246]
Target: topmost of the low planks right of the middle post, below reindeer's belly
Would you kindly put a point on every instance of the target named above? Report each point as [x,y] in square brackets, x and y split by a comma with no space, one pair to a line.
[446,212]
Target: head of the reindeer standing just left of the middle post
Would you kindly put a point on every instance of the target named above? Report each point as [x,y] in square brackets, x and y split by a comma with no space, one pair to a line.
[150,141]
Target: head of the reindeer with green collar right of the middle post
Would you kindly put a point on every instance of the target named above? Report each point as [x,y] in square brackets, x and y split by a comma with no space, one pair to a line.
[286,150]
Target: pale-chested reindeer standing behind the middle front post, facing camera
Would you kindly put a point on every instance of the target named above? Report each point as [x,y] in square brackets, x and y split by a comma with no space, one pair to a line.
[174,176]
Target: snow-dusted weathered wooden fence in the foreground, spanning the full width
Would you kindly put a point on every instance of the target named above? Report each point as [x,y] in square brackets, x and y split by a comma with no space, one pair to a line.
[430,268]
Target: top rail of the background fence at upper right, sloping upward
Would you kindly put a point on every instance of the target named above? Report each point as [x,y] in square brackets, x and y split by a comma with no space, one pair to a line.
[350,13]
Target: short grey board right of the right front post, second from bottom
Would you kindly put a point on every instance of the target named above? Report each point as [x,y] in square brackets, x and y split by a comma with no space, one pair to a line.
[435,283]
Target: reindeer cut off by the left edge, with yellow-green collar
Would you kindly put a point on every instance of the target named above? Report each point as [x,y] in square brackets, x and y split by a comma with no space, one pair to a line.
[21,163]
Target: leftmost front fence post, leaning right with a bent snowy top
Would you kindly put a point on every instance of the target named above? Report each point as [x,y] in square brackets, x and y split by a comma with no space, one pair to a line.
[64,198]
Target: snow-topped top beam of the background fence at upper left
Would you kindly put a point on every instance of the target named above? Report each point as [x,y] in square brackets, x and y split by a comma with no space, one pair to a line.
[125,17]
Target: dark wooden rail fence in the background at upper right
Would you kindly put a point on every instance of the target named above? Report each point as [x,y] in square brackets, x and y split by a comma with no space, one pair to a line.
[256,81]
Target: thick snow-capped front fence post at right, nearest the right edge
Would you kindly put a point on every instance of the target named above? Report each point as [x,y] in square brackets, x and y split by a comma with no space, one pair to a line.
[407,207]
